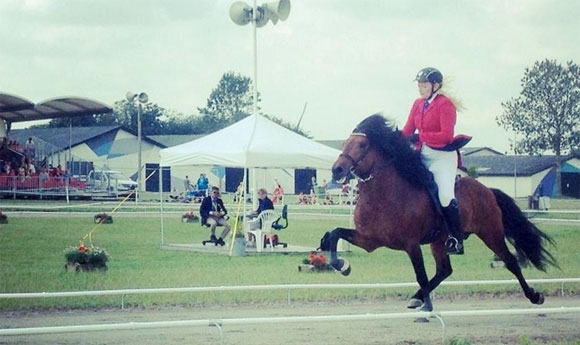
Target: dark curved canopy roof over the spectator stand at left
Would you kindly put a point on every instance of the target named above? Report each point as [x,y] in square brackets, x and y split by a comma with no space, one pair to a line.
[17,109]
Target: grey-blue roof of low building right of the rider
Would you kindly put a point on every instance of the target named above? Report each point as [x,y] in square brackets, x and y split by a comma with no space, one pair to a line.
[500,165]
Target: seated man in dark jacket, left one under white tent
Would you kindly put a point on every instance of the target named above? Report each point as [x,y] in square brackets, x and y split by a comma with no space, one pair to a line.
[213,212]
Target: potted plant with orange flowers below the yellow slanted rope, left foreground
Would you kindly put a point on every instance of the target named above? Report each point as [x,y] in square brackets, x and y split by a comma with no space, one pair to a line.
[82,258]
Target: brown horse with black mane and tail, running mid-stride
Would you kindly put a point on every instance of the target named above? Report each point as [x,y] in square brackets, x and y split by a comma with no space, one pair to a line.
[395,210]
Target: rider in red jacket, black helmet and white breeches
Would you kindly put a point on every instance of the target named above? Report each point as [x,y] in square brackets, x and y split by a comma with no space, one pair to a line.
[433,115]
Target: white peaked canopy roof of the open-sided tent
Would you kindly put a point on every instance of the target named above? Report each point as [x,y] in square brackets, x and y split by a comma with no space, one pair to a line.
[254,142]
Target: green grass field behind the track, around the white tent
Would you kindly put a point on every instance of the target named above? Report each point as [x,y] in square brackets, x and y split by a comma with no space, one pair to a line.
[32,260]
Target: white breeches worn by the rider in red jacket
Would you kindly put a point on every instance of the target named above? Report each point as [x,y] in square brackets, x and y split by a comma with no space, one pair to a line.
[443,166]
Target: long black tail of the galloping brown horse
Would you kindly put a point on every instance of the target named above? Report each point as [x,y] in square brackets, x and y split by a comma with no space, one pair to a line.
[528,240]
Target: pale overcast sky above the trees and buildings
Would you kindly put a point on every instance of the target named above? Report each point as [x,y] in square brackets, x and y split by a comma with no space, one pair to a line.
[335,61]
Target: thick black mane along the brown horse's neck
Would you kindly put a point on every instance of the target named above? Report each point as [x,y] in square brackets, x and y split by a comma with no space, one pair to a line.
[394,146]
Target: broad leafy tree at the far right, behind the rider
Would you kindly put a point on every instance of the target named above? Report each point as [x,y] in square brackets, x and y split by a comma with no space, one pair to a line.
[547,112]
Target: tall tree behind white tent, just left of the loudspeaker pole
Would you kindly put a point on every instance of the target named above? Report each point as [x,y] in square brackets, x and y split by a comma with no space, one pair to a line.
[230,102]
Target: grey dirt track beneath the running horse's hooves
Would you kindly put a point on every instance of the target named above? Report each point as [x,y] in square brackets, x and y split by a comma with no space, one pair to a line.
[485,330]
